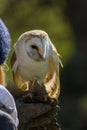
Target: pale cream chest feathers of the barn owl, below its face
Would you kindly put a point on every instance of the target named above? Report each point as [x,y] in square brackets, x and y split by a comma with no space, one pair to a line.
[31,69]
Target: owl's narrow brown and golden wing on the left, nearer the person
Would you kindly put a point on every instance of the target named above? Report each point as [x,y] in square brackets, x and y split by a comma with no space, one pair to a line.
[20,83]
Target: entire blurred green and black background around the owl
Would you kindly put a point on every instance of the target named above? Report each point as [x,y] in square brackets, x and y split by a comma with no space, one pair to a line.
[66,23]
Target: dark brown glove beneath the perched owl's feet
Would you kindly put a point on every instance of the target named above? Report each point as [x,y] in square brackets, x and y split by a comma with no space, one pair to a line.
[34,115]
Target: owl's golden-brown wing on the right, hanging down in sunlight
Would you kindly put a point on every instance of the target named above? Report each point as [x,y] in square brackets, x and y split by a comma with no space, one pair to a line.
[52,81]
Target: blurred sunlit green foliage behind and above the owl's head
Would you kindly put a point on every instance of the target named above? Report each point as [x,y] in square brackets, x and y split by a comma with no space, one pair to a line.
[23,15]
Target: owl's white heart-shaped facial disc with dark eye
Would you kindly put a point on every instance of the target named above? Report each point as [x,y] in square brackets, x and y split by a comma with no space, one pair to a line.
[36,49]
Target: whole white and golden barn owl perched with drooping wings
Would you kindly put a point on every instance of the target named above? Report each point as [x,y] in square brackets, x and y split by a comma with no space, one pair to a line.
[35,57]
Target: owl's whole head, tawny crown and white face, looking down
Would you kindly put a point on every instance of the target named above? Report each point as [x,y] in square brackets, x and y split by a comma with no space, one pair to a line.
[35,43]
